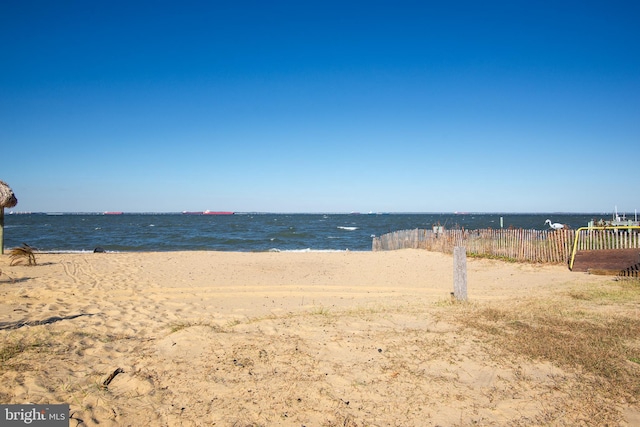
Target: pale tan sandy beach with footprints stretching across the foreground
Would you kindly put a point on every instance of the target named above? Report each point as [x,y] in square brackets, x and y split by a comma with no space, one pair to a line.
[317,339]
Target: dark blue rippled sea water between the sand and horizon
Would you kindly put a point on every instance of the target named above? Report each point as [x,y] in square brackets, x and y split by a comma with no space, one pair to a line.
[243,232]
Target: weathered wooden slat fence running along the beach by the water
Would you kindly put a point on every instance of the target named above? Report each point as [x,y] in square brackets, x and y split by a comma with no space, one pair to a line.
[547,246]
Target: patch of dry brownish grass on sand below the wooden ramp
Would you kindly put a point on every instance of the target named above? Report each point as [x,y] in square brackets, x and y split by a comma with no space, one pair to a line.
[594,333]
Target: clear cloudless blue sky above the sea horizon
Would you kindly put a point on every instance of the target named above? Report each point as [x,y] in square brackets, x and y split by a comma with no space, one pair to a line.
[321,106]
